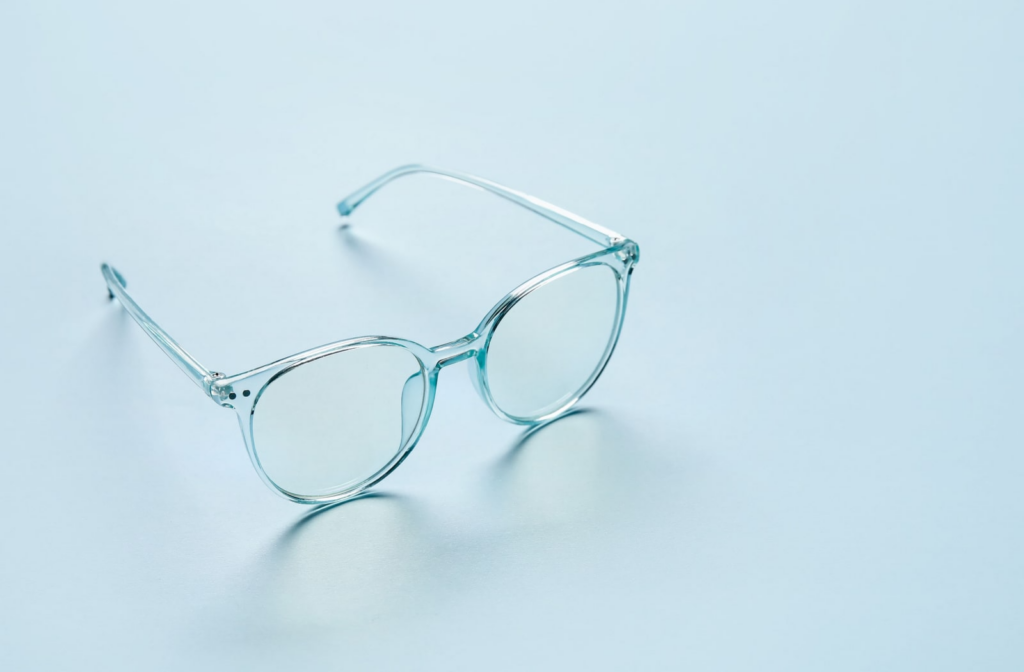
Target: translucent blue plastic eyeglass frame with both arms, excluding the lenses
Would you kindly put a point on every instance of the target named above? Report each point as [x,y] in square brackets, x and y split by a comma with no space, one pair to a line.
[242,392]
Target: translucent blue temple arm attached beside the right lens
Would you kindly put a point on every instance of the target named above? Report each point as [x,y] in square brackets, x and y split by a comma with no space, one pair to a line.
[574,223]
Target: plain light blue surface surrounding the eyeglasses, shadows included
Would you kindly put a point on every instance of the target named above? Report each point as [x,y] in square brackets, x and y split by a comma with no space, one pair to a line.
[823,472]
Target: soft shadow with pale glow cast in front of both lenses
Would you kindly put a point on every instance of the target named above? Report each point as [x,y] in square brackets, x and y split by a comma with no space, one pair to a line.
[380,555]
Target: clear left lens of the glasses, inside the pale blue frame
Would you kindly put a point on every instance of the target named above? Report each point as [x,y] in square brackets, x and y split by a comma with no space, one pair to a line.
[331,425]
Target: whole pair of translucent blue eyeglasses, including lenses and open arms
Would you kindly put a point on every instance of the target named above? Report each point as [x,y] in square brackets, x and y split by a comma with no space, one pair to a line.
[325,425]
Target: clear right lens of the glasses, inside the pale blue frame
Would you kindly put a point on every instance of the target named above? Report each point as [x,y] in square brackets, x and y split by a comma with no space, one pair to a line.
[546,350]
